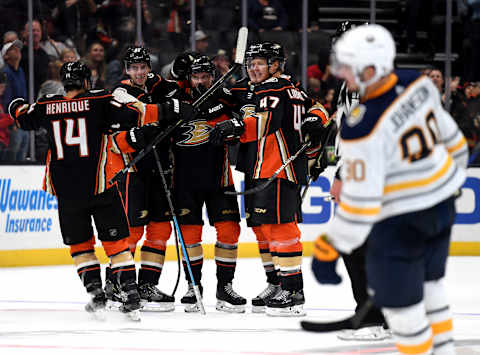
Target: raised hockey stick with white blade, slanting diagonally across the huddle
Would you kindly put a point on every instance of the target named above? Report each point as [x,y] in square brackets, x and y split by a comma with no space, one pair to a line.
[239,57]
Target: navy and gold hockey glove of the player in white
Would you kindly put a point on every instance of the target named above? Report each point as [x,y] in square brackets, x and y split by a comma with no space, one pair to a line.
[324,261]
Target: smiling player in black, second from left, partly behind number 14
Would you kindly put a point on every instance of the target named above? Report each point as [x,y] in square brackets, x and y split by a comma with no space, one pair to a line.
[142,190]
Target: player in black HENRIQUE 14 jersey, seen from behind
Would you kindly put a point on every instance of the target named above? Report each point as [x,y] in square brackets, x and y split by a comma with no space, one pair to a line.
[79,166]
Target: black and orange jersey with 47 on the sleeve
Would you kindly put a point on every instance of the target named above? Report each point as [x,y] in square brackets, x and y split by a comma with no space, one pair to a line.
[275,126]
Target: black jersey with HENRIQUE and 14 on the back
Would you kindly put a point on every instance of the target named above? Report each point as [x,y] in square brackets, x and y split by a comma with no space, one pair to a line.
[79,161]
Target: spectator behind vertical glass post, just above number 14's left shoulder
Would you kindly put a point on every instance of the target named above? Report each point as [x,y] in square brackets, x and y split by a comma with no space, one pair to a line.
[40,57]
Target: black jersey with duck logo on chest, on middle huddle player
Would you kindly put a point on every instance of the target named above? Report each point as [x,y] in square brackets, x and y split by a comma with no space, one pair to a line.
[193,153]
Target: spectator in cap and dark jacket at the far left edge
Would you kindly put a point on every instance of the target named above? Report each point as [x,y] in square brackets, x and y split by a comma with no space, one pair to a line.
[16,87]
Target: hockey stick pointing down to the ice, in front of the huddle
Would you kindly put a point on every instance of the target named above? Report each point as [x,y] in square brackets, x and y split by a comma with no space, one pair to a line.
[178,233]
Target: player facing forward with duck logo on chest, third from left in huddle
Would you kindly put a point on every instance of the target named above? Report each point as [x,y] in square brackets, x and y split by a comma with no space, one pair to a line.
[193,151]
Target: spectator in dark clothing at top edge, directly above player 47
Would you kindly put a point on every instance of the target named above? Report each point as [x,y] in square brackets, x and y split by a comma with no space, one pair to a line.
[266,15]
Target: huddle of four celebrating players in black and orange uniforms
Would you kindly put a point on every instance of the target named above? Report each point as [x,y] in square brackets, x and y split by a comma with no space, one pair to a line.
[267,114]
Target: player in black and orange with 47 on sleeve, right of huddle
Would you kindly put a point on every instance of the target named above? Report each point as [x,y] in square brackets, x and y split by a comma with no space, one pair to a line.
[274,124]
